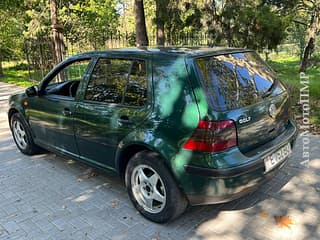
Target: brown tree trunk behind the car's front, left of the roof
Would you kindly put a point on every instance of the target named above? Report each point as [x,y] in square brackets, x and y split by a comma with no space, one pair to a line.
[58,44]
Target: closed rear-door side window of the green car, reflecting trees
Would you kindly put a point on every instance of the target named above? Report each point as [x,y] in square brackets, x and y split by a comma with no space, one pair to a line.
[118,81]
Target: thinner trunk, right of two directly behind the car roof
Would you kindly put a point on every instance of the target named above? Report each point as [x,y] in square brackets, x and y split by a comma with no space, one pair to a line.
[160,20]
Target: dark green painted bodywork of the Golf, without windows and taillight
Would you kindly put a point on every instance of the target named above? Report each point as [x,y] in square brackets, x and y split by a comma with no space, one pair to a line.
[176,102]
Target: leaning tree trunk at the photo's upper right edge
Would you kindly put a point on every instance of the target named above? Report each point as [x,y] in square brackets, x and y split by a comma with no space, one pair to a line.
[312,33]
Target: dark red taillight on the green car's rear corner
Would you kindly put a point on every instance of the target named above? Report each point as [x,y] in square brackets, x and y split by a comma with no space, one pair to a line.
[213,136]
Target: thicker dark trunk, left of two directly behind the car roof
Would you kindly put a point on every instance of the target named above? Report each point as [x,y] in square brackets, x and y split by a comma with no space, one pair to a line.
[141,30]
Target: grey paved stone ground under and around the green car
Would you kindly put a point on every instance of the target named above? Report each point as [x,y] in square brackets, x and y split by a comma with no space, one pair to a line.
[49,197]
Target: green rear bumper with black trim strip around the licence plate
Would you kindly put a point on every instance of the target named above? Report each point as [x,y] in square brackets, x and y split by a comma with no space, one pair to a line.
[226,184]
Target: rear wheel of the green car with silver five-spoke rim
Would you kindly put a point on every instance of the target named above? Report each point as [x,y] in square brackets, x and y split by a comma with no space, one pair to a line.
[152,189]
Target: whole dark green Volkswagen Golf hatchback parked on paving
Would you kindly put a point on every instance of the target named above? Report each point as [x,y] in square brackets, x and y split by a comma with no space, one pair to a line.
[181,126]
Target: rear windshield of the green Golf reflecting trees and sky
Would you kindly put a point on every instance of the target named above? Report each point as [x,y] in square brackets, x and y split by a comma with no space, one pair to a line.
[235,80]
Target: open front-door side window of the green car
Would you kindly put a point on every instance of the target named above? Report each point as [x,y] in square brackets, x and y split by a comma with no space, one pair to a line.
[66,81]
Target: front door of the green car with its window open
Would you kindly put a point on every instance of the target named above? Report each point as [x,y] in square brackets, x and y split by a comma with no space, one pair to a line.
[51,113]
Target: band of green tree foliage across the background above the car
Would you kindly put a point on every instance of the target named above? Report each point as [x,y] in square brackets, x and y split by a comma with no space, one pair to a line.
[90,24]
